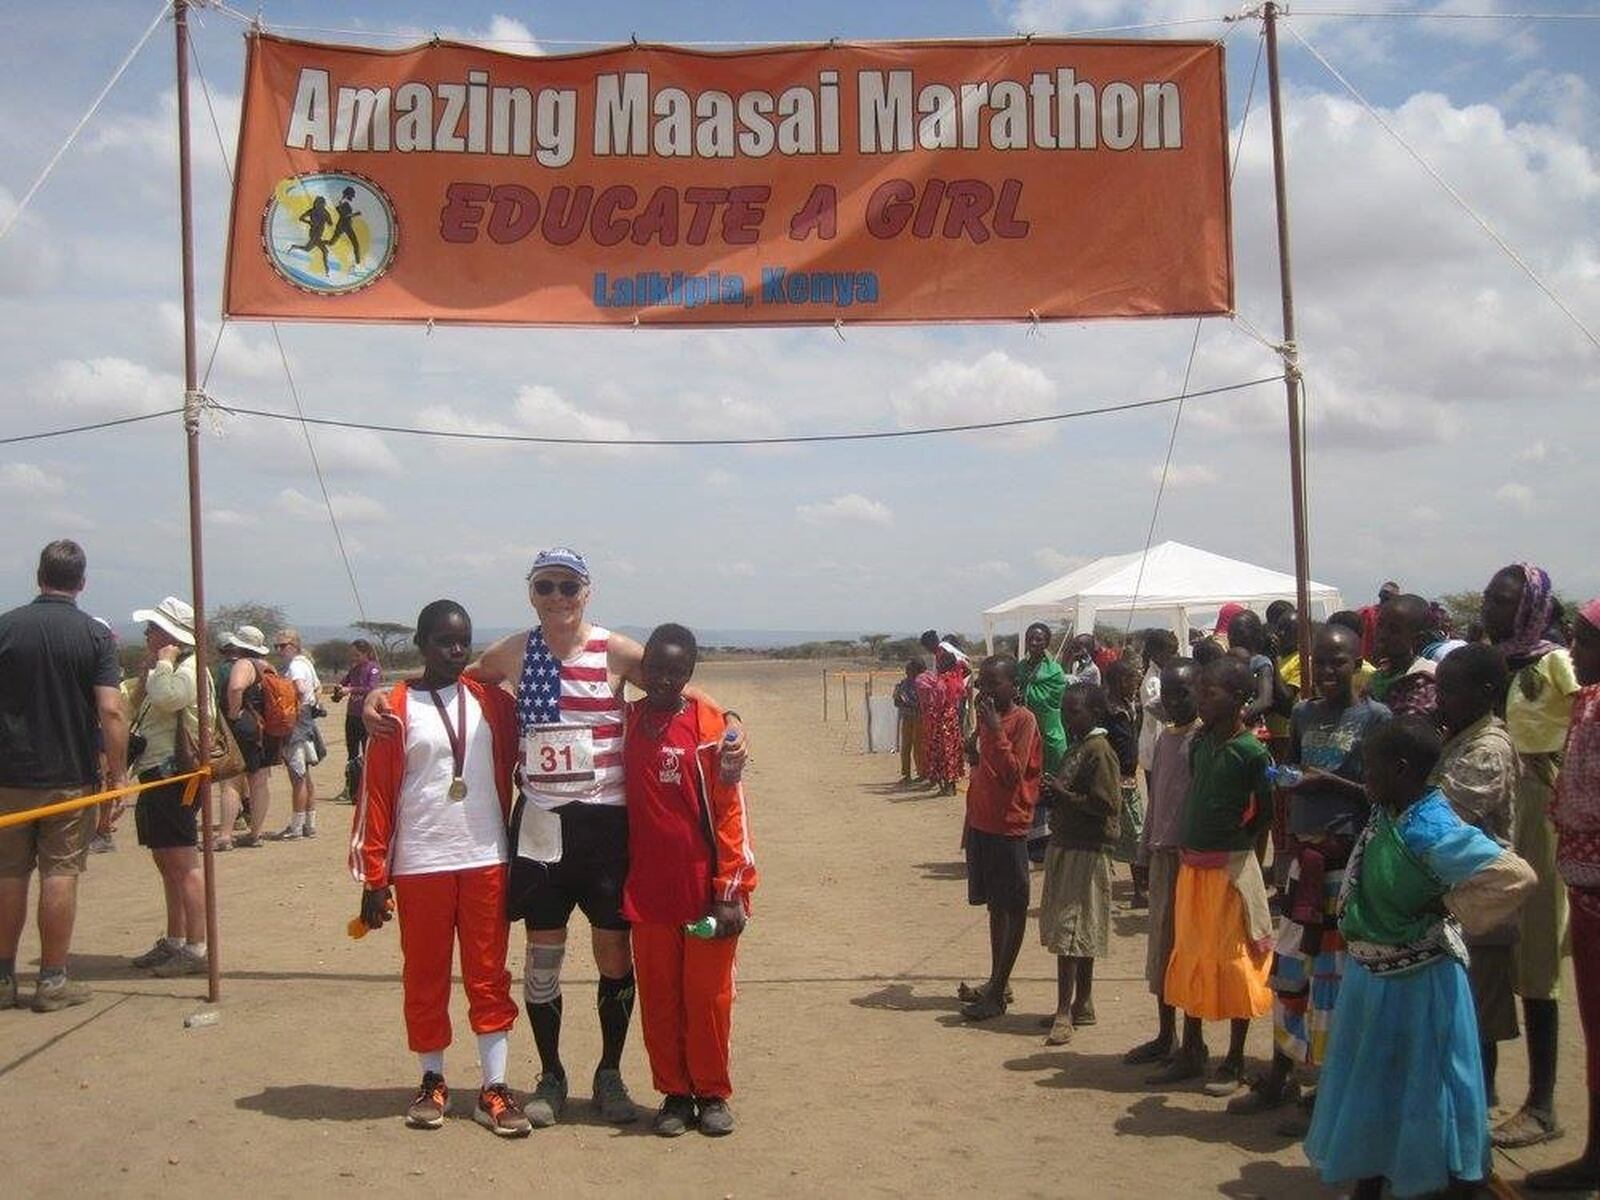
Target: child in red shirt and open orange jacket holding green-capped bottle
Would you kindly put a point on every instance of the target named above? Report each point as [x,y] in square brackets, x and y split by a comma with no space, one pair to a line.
[689,886]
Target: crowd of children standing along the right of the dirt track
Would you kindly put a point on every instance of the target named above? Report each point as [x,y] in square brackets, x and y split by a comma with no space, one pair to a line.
[1377,849]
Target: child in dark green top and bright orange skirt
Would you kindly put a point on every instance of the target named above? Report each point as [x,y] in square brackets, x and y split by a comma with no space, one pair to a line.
[1223,932]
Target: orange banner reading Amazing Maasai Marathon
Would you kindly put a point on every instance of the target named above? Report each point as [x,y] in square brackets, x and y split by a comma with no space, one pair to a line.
[649,185]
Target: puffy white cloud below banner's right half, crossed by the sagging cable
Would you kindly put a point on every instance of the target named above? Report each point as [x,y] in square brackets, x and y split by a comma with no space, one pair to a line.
[994,388]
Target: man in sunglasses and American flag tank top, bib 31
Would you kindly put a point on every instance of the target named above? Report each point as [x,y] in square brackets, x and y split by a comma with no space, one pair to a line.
[569,831]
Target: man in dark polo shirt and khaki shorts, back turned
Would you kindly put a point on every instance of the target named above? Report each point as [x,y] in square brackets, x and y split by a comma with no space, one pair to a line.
[60,706]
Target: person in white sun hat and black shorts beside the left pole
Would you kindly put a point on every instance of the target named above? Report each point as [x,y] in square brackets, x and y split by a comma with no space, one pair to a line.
[162,697]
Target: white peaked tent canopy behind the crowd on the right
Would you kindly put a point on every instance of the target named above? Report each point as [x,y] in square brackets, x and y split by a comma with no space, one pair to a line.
[1177,582]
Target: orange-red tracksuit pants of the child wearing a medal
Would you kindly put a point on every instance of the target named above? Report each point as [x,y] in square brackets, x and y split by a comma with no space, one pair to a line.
[436,911]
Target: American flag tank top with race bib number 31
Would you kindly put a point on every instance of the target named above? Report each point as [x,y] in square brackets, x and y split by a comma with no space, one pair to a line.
[572,726]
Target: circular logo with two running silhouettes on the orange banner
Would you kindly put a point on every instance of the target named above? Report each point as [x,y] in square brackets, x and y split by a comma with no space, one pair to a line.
[330,233]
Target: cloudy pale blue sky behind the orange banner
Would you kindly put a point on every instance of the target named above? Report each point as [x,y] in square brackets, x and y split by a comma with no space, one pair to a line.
[1452,406]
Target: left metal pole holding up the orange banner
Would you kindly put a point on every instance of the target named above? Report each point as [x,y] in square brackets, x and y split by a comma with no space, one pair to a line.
[193,436]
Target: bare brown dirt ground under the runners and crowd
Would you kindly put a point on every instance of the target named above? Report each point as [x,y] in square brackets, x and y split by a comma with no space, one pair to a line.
[854,1073]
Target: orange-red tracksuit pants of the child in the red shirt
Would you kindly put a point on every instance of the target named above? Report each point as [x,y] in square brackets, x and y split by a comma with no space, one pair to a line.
[686,994]
